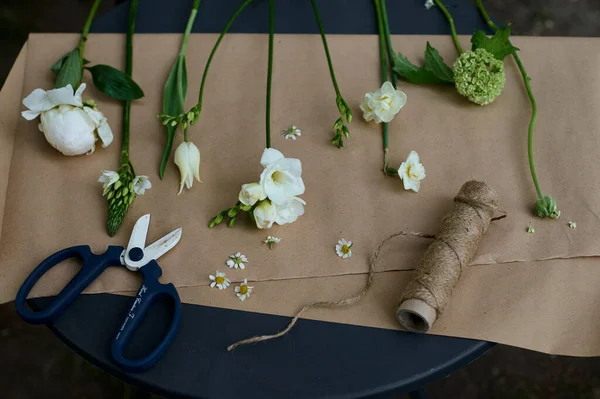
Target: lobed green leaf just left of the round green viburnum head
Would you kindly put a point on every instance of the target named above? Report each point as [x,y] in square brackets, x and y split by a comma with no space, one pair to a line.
[434,70]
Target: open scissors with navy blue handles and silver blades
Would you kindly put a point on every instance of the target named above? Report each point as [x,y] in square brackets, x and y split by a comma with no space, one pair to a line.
[135,257]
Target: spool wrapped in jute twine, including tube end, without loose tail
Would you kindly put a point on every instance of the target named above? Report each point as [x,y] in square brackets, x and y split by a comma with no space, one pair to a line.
[426,296]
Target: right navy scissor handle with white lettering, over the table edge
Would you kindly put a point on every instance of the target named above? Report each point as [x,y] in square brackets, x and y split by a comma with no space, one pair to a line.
[150,291]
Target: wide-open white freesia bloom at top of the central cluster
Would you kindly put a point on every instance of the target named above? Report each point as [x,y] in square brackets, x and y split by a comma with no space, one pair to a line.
[281,178]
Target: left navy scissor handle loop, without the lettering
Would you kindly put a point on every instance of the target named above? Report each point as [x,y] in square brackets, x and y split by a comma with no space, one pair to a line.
[93,266]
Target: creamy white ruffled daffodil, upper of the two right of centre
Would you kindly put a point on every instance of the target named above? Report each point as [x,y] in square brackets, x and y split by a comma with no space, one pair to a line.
[383,104]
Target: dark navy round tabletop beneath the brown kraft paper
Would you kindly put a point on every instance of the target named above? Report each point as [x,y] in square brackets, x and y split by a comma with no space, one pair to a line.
[317,359]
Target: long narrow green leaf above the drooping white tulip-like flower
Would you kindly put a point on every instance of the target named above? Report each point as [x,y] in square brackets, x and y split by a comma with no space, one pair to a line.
[173,104]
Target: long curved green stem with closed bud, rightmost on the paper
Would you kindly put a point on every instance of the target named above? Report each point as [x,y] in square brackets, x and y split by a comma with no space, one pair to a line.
[545,206]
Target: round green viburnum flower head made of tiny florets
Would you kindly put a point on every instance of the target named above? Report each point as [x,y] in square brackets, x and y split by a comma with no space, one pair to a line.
[479,76]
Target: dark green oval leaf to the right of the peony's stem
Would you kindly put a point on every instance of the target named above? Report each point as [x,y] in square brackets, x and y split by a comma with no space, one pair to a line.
[114,83]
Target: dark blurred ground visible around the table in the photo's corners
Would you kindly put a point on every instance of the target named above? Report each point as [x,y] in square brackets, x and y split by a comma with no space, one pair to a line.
[35,364]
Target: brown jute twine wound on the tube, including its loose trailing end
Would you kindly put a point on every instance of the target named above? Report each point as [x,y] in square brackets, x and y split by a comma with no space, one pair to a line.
[443,262]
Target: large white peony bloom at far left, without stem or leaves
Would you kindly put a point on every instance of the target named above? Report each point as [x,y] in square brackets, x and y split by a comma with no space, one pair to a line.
[69,125]
